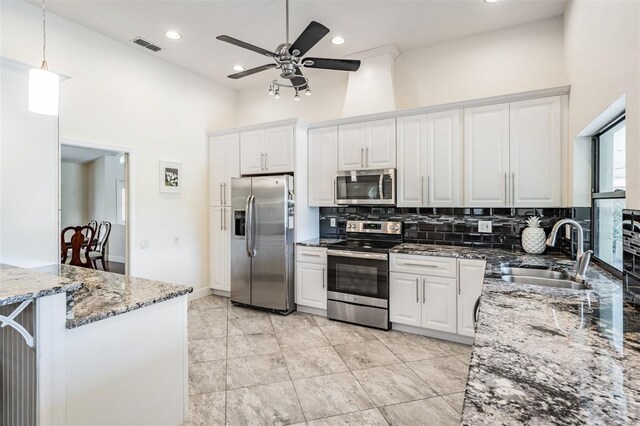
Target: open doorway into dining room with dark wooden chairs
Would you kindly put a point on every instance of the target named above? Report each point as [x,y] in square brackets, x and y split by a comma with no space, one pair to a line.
[94,191]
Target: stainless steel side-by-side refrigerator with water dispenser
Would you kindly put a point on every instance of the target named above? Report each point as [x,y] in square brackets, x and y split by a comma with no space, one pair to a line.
[262,258]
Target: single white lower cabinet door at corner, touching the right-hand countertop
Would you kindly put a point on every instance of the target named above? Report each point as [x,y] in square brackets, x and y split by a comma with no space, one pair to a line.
[470,278]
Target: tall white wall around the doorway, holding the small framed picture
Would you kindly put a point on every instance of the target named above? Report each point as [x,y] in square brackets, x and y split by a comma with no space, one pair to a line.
[119,96]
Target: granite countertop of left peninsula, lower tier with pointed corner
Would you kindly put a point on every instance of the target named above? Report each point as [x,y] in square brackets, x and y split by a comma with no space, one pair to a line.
[106,294]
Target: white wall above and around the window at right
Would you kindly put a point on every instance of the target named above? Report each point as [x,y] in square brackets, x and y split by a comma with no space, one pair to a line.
[602,44]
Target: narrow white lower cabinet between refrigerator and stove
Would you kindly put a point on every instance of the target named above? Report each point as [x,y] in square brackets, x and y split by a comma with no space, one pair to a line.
[311,277]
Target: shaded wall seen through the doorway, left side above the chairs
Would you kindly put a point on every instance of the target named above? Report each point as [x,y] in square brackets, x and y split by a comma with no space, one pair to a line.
[74,207]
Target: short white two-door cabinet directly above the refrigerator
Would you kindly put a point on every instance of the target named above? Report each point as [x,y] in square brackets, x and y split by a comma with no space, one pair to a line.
[267,151]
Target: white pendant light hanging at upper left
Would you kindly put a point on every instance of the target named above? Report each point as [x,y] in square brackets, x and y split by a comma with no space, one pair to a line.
[44,85]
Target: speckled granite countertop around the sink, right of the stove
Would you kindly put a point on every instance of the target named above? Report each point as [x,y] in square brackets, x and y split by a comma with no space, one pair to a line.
[549,356]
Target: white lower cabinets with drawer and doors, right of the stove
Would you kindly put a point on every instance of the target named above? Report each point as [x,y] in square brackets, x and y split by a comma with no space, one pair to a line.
[435,293]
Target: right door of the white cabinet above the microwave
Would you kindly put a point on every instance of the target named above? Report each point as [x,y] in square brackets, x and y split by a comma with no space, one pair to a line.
[380,151]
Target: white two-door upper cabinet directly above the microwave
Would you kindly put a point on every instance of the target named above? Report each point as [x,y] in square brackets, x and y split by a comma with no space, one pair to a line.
[370,145]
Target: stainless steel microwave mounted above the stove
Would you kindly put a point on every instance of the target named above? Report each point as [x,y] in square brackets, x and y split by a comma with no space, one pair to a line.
[366,187]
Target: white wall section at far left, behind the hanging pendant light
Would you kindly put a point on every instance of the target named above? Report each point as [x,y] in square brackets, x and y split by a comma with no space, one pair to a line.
[28,178]
